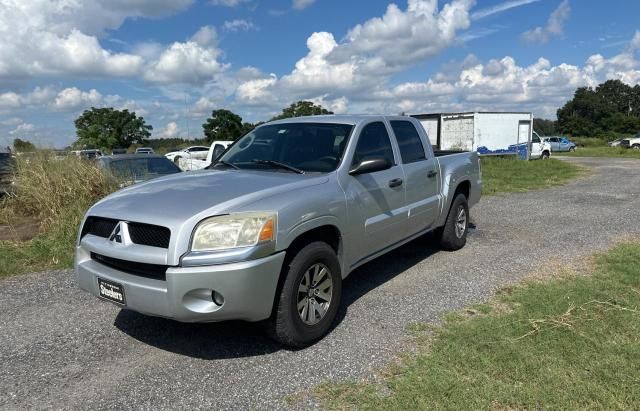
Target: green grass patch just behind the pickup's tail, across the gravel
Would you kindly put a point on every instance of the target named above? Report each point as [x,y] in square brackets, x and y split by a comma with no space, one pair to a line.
[506,175]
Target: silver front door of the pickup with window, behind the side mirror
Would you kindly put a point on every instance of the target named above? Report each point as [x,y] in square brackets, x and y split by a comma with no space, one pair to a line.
[376,200]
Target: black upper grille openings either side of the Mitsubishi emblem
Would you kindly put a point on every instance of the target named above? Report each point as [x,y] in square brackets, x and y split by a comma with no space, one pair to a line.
[144,234]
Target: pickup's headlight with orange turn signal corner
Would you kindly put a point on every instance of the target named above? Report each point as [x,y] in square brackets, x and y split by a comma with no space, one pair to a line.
[233,231]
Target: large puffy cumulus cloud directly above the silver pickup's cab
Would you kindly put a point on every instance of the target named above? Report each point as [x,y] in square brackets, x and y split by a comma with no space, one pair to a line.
[369,54]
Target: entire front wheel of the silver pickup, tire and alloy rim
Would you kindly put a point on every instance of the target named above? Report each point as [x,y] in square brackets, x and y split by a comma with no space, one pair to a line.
[310,297]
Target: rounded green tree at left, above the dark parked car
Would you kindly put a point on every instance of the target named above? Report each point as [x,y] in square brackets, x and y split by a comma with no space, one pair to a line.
[109,128]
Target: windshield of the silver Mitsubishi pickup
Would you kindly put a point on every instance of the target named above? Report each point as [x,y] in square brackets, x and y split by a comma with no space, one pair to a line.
[310,147]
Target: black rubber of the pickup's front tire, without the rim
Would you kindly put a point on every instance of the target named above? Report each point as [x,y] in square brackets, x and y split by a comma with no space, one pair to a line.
[286,324]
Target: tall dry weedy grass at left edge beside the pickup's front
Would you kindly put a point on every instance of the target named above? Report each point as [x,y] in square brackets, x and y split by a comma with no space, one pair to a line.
[55,193]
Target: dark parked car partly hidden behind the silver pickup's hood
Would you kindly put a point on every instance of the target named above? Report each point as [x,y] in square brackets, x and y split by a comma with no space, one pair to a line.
[131,168]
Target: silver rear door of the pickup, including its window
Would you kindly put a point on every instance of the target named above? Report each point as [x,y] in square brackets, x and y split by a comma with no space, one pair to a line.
[421,177]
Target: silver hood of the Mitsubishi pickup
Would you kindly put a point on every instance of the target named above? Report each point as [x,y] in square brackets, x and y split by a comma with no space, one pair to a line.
[172,200]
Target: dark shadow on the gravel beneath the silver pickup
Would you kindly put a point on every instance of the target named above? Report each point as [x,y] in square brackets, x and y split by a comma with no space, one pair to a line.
[235,339]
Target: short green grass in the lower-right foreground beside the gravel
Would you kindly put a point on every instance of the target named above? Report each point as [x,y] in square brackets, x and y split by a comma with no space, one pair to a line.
[570,343]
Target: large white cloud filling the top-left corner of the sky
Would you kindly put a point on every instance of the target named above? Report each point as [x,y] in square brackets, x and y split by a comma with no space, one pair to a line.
[55,38]
